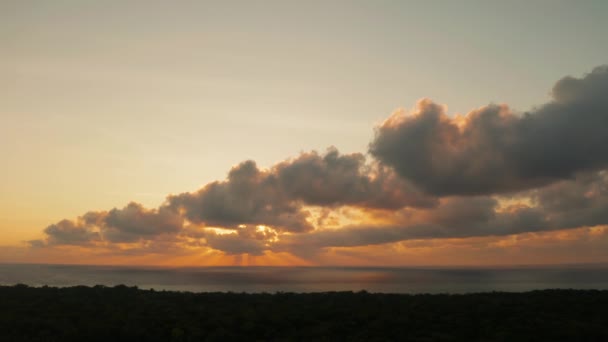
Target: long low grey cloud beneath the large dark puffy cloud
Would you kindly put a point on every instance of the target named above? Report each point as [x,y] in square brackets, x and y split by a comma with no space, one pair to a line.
[568,204]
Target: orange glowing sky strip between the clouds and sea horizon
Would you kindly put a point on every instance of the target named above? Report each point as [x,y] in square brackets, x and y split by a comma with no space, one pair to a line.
[570,246]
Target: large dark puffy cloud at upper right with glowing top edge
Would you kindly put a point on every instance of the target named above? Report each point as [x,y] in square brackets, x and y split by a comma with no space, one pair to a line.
[492,150]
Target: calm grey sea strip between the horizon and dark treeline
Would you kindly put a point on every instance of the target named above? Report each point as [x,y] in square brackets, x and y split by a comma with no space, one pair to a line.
[313,279]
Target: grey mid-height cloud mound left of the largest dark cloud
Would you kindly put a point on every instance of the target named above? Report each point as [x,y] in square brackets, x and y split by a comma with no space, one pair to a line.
[276,197]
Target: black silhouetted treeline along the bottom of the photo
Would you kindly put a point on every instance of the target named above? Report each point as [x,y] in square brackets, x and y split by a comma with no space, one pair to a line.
[124,313]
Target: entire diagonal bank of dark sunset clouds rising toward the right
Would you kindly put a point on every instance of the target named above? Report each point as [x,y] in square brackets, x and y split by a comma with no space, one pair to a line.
[434,177]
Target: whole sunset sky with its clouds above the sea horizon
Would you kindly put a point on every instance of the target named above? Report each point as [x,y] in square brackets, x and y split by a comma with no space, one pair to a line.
[304,132]
